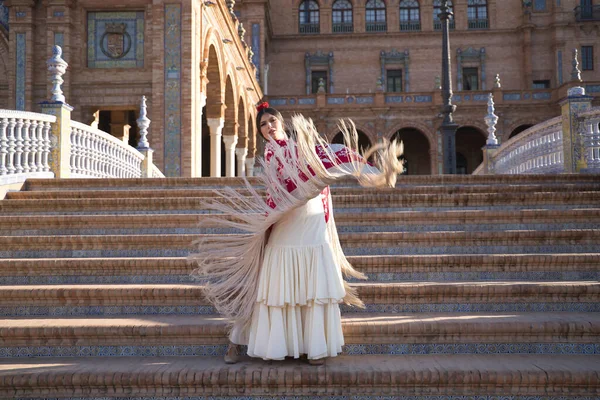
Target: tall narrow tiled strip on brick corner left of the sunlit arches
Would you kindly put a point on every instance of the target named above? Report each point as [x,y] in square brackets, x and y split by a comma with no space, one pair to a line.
[172,67]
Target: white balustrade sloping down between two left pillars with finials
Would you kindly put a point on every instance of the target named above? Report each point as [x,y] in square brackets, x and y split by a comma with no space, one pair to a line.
[95,153]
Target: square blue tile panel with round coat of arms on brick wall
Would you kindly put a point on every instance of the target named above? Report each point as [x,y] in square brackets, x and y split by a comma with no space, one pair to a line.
[116,39]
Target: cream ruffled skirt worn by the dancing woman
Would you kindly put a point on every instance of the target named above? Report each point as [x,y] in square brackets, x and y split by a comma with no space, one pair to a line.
[297,307]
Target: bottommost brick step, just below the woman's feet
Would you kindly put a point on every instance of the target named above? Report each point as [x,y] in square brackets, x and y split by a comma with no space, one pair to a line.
[406,377]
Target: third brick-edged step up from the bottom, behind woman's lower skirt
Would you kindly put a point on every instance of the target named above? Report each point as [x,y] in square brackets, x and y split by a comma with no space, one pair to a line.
[77,300]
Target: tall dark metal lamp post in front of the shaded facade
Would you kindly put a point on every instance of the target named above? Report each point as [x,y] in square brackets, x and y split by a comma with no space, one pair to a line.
[448,126]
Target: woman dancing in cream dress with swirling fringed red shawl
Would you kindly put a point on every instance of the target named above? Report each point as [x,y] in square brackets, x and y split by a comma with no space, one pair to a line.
[298,272]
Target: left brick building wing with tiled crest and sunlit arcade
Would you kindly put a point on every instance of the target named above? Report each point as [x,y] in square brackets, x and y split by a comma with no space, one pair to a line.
[187,57]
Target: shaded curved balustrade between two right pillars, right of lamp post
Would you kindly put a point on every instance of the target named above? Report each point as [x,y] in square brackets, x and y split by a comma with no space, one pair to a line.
[538,150]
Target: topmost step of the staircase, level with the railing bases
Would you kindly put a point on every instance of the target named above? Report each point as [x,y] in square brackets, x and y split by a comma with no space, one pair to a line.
[403,180]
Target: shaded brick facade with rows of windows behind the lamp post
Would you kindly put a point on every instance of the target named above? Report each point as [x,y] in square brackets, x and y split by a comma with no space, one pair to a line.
[379,62]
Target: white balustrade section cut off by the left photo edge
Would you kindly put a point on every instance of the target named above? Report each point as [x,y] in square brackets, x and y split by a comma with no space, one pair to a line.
[25,145]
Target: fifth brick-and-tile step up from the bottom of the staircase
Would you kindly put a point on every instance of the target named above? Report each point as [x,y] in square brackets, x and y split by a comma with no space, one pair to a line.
[378,243]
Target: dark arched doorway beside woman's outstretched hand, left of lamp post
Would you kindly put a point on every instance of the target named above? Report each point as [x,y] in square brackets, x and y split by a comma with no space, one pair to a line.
[417,160]
